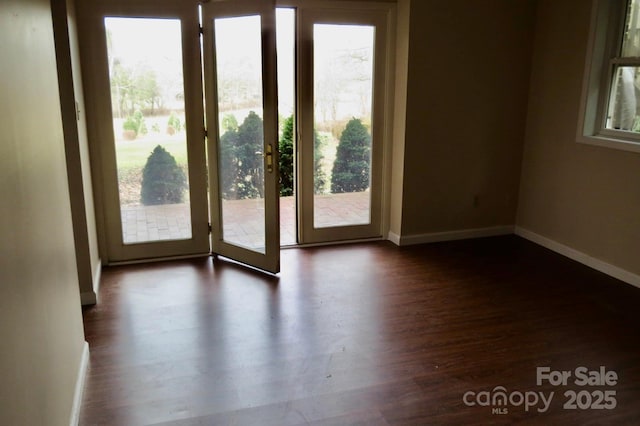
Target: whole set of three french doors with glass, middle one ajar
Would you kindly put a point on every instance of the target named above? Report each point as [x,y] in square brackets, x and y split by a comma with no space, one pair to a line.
[182,107]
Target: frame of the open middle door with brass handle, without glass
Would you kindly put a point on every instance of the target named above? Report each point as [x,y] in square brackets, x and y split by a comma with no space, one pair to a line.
[269,258]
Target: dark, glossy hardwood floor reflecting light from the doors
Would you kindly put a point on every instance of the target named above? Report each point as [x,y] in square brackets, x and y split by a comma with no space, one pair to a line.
[362,334]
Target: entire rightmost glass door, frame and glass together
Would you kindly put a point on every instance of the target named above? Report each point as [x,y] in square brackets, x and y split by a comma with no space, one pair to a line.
[342,71]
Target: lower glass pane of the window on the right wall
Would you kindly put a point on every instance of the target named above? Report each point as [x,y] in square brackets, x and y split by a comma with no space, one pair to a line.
[623,103]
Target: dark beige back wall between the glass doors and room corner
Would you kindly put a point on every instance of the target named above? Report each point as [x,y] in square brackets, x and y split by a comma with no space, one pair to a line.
[469,68]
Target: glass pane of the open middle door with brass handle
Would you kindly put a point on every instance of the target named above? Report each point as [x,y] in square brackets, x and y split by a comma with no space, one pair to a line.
[241,139]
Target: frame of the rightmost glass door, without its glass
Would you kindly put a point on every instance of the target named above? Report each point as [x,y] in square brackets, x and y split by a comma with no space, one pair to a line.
[376,15]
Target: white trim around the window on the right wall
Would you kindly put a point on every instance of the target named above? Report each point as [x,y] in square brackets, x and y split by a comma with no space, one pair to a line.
[607,19]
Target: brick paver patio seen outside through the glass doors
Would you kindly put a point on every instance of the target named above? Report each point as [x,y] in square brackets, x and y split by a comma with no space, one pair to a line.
[244,219]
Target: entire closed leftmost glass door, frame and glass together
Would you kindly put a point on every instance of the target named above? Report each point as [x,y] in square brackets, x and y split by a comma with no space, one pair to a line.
[142,76]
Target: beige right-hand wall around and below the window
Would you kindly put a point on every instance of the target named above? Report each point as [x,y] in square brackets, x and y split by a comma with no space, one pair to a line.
[582,196]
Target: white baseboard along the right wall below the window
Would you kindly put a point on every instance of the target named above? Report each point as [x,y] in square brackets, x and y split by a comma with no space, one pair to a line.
[578,256]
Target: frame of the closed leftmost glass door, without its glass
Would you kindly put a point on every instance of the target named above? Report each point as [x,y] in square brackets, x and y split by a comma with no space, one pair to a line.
[100,126]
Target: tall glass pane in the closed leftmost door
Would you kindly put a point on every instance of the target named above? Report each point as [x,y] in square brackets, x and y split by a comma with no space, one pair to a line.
[147,96]
